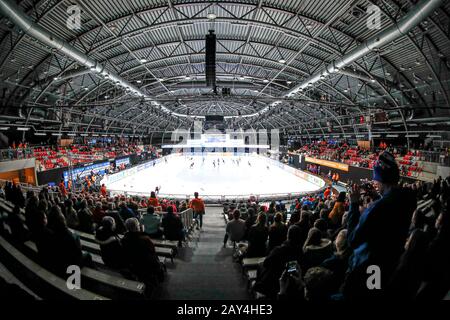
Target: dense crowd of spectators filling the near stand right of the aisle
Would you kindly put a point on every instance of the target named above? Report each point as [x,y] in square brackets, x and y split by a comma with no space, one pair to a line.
[334,239]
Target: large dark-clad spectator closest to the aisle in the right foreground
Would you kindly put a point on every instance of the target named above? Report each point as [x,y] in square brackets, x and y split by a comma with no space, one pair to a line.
[269,273]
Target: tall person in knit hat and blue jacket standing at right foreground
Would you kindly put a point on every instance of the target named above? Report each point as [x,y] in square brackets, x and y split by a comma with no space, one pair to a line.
[377,235]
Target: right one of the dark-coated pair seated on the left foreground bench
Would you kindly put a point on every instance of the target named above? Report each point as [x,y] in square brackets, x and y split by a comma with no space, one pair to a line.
[140,254]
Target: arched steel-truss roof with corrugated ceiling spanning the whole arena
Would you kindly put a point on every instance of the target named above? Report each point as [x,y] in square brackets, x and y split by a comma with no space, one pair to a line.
[307,67]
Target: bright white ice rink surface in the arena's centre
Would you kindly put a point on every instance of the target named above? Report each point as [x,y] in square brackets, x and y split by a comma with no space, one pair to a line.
[177,179]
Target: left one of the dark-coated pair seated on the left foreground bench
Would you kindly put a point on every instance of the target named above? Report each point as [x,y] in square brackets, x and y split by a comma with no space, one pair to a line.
[110,245]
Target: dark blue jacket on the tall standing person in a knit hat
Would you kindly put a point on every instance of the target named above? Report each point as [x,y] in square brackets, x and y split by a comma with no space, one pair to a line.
[377,237]
